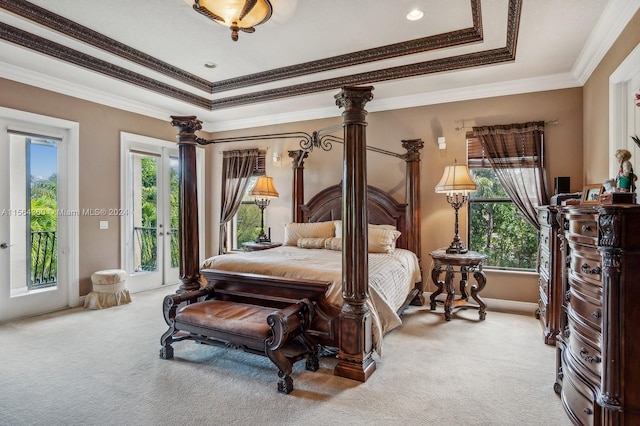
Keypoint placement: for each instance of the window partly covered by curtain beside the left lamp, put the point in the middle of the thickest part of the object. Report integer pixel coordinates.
(245, 225)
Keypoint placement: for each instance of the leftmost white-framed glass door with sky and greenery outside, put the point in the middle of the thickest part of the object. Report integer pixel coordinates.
(38, 215)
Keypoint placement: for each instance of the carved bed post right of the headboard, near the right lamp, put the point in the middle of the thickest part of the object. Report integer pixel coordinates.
(412, 158)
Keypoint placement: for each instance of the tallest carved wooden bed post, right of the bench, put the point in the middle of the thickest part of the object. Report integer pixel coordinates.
(355, 342)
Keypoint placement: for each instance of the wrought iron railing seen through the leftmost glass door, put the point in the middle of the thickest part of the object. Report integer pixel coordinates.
(44, 259)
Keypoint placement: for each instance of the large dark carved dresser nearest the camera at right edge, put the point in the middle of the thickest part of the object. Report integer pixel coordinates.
(598, 369)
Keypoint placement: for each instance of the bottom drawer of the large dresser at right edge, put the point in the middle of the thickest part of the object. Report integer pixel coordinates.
(577, 396)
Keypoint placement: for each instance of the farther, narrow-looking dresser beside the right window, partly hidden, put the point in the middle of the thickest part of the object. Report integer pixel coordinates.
(549, 273)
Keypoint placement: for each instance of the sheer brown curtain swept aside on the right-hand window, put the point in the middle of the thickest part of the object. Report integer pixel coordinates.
(516, 154)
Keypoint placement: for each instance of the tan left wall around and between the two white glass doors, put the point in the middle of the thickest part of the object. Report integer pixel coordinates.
(100, 128)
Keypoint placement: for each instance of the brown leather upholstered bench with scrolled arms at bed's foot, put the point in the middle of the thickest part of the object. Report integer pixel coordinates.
(276, 333)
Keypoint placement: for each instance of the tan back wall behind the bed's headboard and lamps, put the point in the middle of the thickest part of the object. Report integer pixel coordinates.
(386, 130)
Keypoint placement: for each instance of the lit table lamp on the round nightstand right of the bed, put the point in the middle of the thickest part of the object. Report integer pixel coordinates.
(456, 183)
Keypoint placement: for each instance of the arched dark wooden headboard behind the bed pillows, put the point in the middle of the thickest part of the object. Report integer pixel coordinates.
(382, 210)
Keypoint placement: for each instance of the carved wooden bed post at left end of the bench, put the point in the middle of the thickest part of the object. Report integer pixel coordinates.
(189, 247)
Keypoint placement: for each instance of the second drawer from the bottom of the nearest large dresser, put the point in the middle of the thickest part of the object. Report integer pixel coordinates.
(584, 344)
